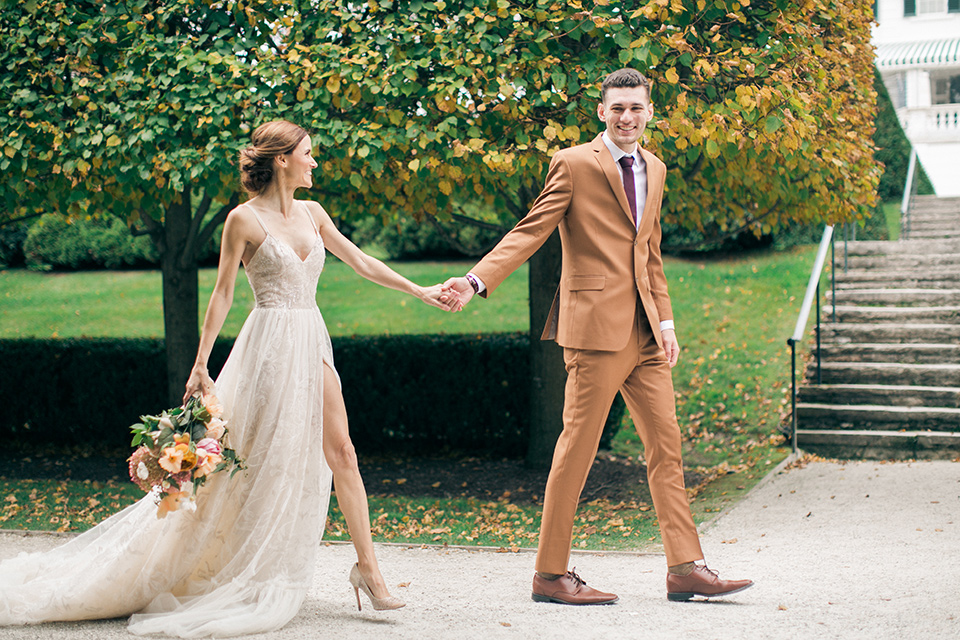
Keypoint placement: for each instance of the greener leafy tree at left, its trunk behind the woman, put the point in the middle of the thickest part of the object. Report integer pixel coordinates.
(135, 109)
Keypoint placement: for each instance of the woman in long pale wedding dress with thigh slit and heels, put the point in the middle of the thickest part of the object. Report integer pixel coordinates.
(242, 561)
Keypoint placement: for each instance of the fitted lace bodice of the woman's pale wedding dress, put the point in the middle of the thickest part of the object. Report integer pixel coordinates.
(280, 279)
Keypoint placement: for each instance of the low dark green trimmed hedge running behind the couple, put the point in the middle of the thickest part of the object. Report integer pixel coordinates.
(407, 395)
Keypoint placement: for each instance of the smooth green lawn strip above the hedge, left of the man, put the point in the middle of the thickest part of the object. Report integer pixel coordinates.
(129, 303)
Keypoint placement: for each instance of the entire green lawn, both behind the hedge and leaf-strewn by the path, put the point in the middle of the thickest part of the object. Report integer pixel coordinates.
(732, 384)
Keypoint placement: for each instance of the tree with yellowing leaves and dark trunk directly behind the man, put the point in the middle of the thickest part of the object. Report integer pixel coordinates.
(764, 112)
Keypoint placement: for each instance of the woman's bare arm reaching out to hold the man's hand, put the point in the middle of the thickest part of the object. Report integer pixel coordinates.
(374, 270)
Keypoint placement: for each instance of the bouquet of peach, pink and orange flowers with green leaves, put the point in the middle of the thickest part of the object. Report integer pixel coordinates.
(178, 450)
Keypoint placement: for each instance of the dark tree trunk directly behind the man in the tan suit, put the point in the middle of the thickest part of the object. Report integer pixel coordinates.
(546, 358)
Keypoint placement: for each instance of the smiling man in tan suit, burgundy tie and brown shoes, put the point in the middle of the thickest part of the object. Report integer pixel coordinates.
(612, 316)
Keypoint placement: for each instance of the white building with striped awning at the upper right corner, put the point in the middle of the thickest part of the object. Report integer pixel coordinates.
(918, 56)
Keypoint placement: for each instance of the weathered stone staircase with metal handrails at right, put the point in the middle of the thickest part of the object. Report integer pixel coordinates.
(891, 360)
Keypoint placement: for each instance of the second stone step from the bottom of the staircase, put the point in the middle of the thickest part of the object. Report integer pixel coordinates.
(869, 417)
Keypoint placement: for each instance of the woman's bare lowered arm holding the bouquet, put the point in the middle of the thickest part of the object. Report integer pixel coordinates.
(232, 246)
